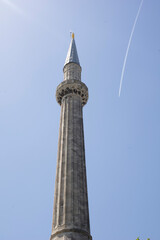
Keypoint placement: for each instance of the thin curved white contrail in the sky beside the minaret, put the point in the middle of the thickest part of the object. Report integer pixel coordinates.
(129, 43)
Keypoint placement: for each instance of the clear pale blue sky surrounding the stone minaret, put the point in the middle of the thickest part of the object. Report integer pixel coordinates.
(122, 135)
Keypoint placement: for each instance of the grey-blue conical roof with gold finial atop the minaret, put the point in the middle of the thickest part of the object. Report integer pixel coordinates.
(72, 55)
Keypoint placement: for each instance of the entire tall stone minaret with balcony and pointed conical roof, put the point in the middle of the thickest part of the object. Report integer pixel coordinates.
(70, 212)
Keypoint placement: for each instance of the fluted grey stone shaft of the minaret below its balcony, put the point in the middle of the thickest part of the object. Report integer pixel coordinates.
(70, 213)
